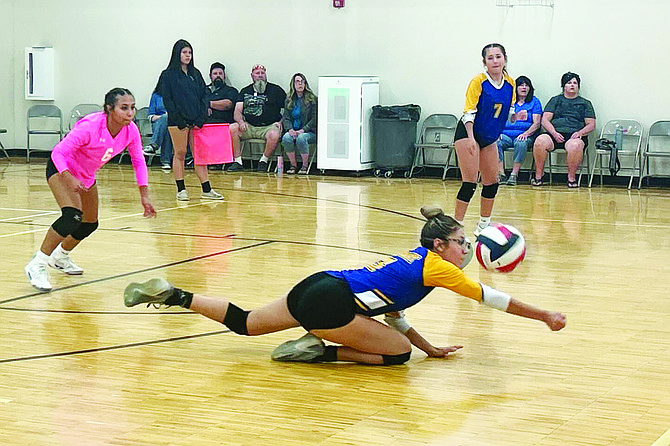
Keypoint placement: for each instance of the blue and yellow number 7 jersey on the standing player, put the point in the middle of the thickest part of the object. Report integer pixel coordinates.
(490, 104)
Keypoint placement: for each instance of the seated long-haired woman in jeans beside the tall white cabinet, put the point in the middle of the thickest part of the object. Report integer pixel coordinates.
(299, 122)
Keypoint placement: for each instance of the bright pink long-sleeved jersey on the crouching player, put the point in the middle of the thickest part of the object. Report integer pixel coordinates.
(89, 146)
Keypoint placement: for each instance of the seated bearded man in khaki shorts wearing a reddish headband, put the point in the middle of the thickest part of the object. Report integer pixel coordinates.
(258, 113)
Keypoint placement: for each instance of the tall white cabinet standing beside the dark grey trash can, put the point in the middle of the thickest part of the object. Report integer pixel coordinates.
(344, 131)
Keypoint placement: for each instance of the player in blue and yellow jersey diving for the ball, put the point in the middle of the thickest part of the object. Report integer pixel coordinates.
(339, 306)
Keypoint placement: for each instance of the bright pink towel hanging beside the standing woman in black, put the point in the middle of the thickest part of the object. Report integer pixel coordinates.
(212, 145)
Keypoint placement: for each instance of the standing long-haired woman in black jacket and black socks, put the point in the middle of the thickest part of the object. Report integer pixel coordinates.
(183, 91)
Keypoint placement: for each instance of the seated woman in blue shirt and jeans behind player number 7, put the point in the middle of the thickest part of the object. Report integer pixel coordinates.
(520, 134)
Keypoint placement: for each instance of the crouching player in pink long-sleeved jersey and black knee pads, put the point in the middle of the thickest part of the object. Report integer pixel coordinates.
(71, 169)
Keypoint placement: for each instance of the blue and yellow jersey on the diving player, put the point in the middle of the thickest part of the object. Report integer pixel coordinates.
(398, 282)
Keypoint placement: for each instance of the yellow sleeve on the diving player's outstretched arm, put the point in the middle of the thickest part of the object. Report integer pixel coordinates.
(439, 272)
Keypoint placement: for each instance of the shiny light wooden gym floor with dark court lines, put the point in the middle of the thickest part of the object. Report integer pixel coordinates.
(78, 368)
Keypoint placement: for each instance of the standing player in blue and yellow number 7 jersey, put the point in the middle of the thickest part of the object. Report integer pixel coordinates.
(488, 106)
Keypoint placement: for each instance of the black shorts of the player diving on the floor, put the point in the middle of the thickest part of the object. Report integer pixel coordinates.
(322, 301)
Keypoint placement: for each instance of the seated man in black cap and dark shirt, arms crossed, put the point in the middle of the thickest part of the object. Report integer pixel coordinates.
(221, 99)
